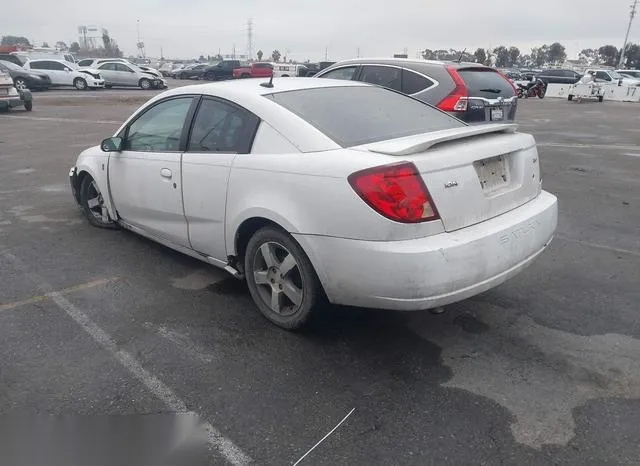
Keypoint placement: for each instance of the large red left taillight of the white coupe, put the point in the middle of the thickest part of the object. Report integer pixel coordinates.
(395, 191)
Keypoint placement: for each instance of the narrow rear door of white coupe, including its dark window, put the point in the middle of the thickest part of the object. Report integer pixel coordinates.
(220, 131)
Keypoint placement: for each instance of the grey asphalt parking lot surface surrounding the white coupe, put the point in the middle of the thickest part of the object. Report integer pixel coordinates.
(544, 369)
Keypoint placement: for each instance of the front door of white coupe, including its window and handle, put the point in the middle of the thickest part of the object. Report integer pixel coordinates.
(145, 179)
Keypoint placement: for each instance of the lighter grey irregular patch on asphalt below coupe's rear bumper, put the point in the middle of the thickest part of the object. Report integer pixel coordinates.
(539, 374)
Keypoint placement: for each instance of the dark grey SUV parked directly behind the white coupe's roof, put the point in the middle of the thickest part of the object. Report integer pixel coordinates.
(472, 92)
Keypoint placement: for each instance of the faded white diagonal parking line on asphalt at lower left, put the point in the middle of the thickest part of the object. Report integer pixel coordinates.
(216, 440)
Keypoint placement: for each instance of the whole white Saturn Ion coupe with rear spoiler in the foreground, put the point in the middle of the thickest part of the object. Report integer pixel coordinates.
(314, 189)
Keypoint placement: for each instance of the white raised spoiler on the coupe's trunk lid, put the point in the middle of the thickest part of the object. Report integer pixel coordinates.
(423, 142)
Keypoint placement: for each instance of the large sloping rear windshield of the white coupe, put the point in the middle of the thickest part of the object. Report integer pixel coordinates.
(354, 115)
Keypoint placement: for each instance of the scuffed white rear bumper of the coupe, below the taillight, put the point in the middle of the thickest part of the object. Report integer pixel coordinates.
(434, 271)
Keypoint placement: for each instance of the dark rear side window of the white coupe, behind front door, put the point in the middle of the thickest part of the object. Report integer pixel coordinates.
(222, 127)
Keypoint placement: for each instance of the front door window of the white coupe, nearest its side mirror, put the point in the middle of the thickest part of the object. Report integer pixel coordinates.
(159, 129)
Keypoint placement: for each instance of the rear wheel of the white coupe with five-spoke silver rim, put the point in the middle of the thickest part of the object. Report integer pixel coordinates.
(281, 279)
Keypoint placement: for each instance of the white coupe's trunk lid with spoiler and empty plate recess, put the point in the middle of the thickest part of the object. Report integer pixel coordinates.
(472, 173)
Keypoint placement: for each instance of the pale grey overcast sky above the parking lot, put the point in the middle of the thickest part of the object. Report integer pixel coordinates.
(188, 28)
